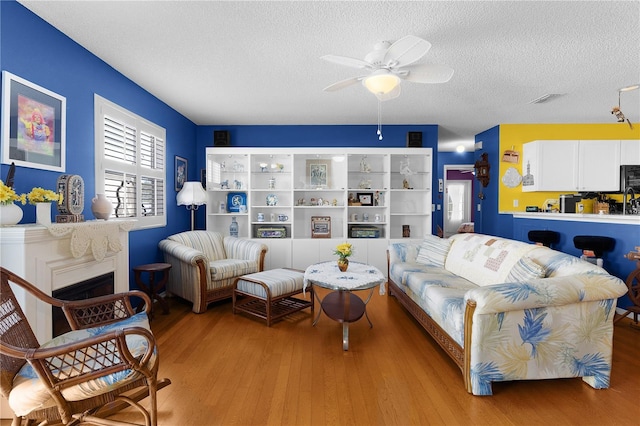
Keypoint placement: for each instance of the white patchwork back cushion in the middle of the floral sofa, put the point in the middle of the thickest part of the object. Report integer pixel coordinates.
(484, 259)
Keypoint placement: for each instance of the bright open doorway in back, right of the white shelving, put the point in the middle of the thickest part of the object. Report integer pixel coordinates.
(458, 197)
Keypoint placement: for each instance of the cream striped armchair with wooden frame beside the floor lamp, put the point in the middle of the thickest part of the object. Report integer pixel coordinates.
(205, 265)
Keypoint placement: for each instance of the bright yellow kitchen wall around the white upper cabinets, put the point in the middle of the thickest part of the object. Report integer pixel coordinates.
(513, 136)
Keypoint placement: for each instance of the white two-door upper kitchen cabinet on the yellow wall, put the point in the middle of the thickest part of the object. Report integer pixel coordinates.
(571, 165)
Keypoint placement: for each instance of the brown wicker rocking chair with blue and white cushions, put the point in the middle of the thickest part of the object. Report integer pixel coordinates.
(109, 360)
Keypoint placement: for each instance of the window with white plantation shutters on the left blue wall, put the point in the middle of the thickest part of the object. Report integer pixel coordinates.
(130, 164)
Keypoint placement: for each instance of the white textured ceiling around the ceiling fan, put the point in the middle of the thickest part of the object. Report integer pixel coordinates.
(240, 62)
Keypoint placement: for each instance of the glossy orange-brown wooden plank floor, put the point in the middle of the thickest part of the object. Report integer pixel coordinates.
(232, 370)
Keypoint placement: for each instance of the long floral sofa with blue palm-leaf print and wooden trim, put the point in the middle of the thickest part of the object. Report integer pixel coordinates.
(507, 310)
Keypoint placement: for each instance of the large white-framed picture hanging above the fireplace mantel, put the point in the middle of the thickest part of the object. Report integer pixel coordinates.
(33, 125)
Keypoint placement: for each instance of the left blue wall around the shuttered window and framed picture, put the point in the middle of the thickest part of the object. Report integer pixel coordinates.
(32, 49)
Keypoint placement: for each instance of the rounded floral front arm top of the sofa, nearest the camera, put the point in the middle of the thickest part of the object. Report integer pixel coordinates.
(539, 293)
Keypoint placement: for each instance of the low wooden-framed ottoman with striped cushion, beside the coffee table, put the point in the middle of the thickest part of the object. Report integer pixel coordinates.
(269, 294)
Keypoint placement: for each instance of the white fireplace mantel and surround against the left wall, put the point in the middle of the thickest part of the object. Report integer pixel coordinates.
(62, 255)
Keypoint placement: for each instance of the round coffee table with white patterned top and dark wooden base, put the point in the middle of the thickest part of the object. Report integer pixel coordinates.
(341, 304)
